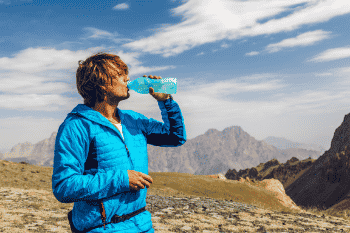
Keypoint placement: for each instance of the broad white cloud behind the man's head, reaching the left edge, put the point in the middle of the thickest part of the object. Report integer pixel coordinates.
(37, 78)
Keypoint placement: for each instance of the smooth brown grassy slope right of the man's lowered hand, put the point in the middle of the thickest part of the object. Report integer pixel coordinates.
(183, 184)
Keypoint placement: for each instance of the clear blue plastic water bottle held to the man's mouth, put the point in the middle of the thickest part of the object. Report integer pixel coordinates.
(165, 85)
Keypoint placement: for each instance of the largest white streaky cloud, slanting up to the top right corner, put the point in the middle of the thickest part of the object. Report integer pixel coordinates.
(208, 21)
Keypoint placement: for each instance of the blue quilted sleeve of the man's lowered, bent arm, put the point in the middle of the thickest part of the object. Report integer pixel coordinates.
(69, 184)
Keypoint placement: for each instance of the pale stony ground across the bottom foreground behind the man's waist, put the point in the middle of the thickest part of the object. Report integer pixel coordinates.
(38, 211)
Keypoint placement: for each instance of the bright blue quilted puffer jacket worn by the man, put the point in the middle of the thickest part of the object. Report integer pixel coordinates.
(91, 162)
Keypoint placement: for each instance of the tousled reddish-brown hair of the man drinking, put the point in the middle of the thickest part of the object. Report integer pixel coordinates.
(95, 72)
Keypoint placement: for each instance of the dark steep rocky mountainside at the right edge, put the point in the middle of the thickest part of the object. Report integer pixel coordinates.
(327, 181)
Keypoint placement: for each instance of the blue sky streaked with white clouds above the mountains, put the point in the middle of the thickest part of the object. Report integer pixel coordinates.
(273, 67)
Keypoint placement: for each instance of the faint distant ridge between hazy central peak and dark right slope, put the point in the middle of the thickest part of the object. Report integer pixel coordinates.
(282, 143)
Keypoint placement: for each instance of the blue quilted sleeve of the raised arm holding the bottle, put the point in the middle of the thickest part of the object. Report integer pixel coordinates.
(172, 132)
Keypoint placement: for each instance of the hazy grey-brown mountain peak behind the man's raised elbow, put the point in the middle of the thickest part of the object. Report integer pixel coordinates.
(211, 153)
